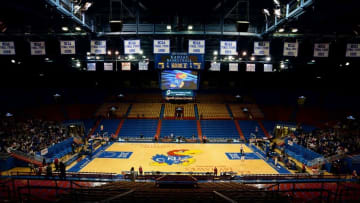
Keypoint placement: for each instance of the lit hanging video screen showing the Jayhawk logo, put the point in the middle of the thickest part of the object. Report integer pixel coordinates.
(179, 79)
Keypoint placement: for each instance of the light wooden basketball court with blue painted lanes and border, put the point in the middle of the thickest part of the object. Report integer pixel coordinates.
(165, 157)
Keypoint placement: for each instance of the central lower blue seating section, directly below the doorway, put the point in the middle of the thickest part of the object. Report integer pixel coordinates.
(183, 128)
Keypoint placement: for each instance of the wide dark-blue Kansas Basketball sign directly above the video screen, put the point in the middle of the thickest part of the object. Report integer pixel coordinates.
(179, 61)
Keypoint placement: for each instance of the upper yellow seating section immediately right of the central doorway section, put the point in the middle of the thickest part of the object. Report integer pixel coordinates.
(213, 111)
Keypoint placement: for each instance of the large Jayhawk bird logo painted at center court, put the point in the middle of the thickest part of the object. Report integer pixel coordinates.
(182, 157)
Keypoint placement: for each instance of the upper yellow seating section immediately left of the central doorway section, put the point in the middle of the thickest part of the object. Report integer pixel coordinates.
(145, 110)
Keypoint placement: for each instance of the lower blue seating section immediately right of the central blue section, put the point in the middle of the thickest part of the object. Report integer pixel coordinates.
(219, 129)
